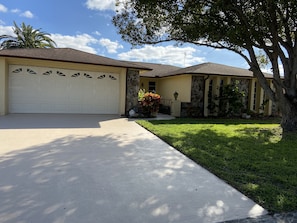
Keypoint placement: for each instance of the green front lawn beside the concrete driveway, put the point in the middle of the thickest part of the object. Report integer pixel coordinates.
(248, 154)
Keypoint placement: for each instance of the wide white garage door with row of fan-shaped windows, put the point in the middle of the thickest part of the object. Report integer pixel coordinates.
(49, 90)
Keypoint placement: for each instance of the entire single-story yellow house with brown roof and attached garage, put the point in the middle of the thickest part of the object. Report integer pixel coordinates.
(64, 80)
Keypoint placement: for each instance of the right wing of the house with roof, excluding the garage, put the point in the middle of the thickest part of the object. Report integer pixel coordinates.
(197, 85)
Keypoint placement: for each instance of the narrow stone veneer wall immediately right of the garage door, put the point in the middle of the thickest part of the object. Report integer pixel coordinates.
(132, 82)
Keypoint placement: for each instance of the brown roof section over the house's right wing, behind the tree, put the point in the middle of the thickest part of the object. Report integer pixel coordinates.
(204, 68)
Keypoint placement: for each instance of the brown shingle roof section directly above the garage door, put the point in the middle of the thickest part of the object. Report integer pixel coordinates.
(68, 55)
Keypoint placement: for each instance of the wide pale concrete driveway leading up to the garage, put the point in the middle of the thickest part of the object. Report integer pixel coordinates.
(90, 168)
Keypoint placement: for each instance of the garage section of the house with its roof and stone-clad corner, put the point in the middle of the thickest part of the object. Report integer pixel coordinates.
(63, 80)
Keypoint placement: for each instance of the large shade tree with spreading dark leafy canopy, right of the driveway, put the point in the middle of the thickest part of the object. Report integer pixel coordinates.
(242, 26)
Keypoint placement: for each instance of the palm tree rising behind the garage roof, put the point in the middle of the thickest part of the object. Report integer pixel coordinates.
(26, 37)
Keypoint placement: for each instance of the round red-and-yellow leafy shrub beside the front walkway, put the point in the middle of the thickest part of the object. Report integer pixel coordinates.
(150, 102)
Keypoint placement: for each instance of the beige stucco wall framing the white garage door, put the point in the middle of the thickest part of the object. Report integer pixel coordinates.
(5, 62)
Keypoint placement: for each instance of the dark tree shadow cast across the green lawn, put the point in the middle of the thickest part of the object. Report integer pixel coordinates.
(263, 170)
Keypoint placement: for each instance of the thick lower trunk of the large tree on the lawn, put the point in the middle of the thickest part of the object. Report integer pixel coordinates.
(289, 115)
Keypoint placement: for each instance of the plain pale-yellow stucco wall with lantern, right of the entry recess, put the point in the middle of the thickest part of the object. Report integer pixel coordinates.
(181, 84)
